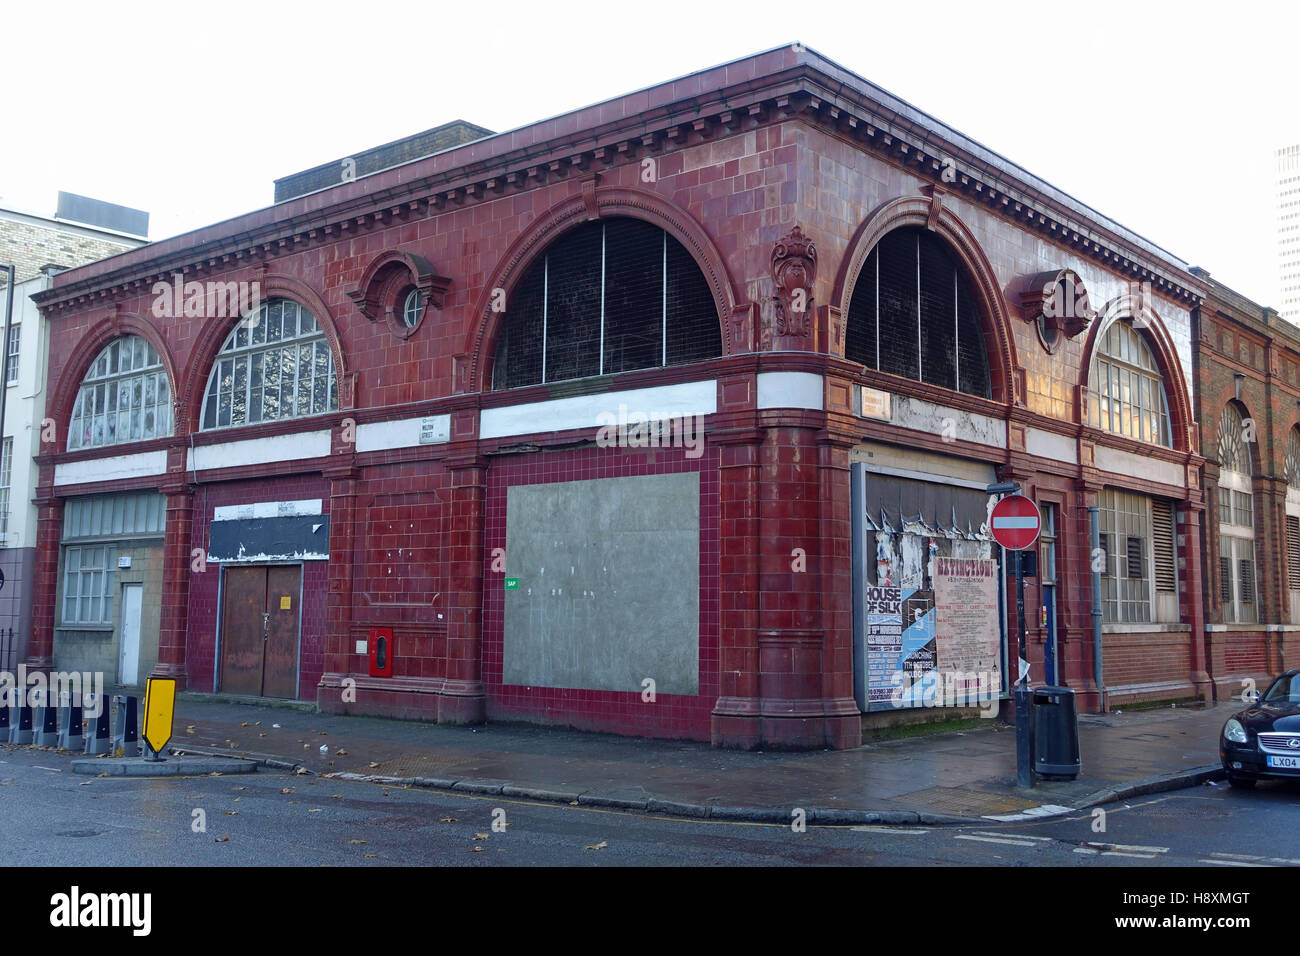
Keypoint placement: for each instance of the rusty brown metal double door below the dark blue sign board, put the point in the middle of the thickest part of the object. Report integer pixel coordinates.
(259, 631)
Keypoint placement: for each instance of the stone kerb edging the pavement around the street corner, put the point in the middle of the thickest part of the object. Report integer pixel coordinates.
(751, 815)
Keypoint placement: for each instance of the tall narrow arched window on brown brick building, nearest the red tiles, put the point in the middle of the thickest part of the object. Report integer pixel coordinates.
(1237, 520)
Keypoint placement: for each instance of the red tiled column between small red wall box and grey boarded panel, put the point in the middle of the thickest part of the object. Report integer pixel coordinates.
(463, 697)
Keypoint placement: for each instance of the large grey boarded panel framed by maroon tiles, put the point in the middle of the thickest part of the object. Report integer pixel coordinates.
(609, 585)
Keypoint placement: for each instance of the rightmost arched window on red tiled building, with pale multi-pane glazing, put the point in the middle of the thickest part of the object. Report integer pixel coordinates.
(1126, 395)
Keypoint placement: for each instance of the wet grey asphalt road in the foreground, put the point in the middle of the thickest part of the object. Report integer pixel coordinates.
(54, 817)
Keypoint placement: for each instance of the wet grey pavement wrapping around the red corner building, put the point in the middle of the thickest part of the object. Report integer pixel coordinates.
(951, 777)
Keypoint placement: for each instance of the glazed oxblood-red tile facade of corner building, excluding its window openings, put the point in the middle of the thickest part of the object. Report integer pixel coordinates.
(744, 166)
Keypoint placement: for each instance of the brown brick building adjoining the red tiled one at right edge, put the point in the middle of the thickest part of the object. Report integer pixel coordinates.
(1249, 408)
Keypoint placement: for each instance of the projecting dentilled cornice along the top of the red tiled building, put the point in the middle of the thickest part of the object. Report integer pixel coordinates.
(805, 86)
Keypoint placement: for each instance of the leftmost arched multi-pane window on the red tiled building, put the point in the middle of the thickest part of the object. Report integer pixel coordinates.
(124, 397)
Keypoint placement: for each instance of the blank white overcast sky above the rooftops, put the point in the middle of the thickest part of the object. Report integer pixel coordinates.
(1163, 116)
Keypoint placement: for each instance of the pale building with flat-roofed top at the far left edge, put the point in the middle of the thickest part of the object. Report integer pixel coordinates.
(38, 248)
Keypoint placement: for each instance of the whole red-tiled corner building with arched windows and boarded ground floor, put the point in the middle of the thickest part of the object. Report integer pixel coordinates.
(846, 321)
